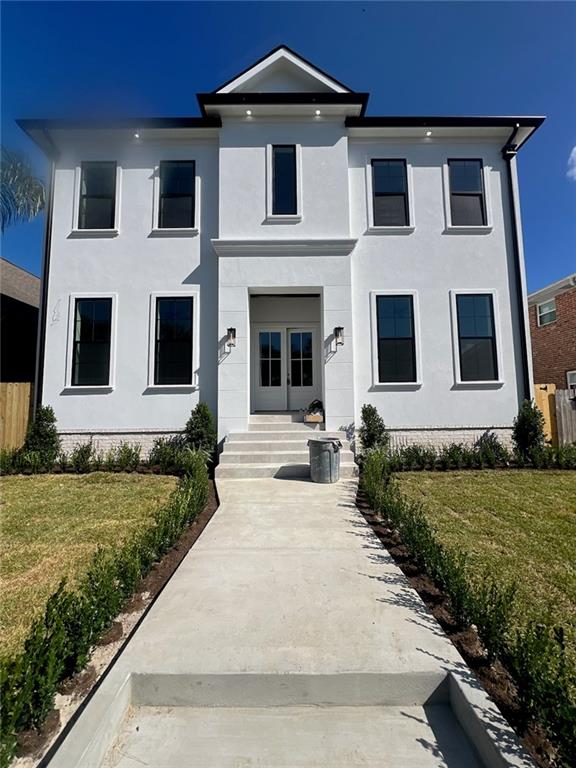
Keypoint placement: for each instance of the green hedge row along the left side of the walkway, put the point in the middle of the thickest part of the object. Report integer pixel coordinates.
(59, 643)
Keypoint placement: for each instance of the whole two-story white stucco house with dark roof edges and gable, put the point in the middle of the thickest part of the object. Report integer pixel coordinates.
(283, 247)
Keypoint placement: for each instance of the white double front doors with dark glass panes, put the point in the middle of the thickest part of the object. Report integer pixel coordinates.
(285, 369)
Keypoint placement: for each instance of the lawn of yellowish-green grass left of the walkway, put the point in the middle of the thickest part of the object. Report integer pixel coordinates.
(52, 524)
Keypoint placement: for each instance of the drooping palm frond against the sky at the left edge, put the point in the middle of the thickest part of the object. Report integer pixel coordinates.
(22, 194)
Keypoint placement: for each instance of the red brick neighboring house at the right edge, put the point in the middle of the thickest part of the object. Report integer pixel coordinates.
(552, 313)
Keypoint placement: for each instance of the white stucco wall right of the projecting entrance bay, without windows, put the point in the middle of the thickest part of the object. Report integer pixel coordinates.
(433, 262)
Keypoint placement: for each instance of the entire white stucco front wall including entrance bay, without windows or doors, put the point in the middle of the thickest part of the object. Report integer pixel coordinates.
(232, 173)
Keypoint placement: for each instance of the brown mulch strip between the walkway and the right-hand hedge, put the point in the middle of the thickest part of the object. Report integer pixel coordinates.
(494, 677)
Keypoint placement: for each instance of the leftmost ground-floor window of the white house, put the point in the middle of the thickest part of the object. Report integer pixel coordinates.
(91, 342)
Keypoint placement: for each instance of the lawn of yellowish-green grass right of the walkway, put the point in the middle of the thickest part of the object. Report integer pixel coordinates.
(519, 524)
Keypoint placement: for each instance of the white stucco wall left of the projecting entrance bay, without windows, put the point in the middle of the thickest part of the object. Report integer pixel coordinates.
(133, 265)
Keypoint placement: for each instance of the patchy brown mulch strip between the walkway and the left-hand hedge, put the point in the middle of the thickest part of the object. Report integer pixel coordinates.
(33, 742)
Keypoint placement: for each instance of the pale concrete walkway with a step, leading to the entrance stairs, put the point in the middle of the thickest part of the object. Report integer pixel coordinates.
(288, 637)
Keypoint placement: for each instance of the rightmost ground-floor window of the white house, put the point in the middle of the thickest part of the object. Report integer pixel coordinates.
(476, 337)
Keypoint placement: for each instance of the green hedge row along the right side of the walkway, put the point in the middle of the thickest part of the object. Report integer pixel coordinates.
(537, 655)
